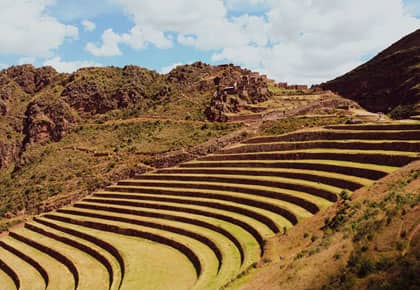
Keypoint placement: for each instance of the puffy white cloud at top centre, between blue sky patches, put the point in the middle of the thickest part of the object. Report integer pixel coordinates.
(202, 24)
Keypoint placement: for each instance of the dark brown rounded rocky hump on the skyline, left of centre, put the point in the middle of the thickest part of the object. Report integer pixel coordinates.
(99, 90)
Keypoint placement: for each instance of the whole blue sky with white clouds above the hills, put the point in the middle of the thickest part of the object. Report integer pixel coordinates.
(298, 41)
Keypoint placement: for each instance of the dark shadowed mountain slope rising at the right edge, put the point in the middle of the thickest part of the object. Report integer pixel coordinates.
(389, 80)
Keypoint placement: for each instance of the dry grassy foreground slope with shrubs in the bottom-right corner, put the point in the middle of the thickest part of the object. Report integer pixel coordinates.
(370, 241)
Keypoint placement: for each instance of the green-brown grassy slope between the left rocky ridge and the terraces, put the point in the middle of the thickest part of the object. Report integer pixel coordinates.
(71, 167)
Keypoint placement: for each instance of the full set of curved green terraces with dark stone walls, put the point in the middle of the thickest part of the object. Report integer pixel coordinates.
(201, 224)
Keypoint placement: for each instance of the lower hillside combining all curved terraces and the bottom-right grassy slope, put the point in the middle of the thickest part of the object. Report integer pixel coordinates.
(219, 220)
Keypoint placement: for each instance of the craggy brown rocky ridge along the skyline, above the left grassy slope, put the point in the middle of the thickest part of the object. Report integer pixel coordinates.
(39, 104)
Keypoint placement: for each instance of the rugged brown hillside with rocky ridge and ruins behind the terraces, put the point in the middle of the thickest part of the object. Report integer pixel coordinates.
(62, 136)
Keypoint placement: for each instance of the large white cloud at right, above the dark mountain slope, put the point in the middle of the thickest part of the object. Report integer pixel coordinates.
(314, 41)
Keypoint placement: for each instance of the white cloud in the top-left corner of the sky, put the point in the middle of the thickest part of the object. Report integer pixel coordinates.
(28, 30)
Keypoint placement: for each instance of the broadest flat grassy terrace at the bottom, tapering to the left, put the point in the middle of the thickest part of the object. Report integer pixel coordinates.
(159, 266)
